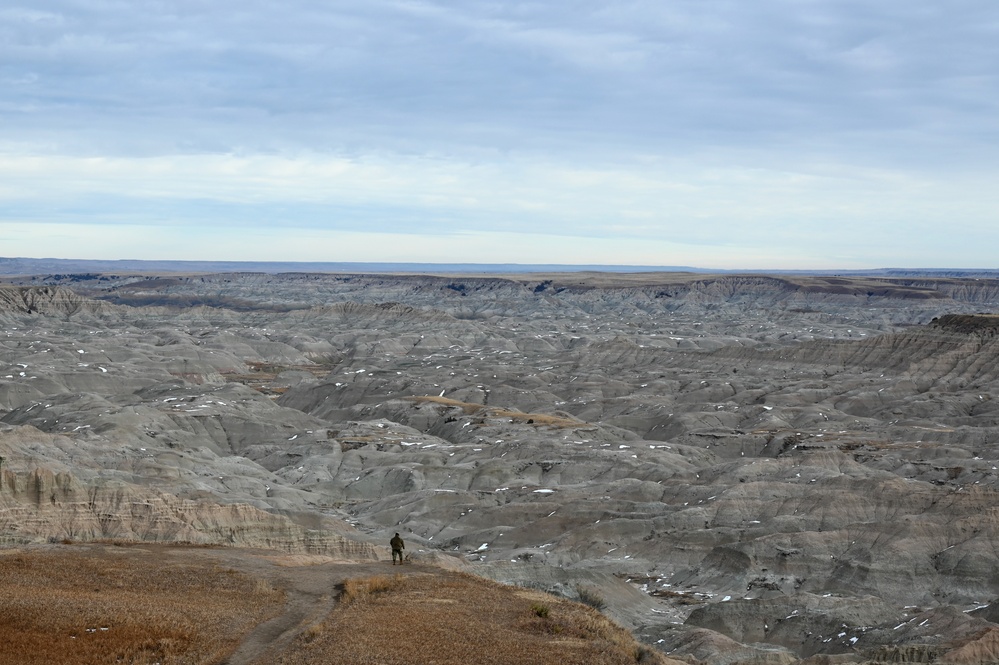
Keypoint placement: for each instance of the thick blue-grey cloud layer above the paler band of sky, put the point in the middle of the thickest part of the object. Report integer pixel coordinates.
(423, 75)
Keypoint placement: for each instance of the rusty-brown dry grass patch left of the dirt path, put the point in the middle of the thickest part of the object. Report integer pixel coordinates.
(92, 607)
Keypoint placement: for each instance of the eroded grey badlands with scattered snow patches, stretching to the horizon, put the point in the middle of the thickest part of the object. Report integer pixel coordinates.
(744, 469)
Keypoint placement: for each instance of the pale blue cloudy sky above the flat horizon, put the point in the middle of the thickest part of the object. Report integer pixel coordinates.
(772, 134)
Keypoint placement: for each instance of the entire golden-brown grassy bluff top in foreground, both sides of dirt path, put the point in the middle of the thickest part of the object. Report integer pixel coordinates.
(137, 604)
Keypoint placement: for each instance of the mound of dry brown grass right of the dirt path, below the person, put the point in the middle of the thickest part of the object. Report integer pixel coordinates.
(455, 619)
